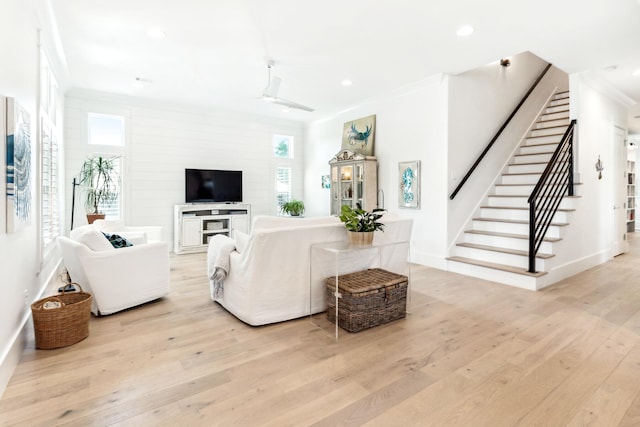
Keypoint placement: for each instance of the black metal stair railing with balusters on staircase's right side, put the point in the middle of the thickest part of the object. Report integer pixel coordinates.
(555, 182)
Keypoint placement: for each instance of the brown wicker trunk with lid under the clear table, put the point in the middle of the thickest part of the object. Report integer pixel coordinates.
(369, 298)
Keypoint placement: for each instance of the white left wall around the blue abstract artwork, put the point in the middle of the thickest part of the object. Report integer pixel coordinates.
(24, 273)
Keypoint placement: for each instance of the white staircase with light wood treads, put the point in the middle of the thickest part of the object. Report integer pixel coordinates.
(496, 246)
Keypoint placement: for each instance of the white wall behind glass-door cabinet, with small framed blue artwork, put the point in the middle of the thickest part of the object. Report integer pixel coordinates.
(410, 125)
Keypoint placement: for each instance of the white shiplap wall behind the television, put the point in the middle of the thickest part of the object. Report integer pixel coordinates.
(163, 139)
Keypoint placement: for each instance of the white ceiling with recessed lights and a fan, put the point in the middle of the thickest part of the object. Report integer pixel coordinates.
(215, 51)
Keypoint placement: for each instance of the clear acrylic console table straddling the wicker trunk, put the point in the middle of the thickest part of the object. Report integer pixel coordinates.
(331, 260)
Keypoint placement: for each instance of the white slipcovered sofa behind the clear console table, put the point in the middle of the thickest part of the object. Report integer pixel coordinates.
(270, 279)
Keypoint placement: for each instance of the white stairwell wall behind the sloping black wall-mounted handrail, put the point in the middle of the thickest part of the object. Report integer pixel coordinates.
(480, 100)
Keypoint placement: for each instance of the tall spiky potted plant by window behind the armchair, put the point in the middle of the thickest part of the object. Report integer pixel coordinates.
(100, 179)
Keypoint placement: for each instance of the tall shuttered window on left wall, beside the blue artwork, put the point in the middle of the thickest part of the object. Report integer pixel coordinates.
(50, 161)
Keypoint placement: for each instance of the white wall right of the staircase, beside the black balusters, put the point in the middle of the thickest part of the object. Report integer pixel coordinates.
(588, 241)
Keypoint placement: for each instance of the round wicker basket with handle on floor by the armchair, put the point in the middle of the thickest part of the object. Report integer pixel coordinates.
(64, 325)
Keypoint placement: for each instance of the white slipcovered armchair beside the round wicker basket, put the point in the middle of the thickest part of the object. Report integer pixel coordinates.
(117, 278)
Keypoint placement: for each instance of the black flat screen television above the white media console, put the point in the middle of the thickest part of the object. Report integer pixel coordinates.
(212, 186)
